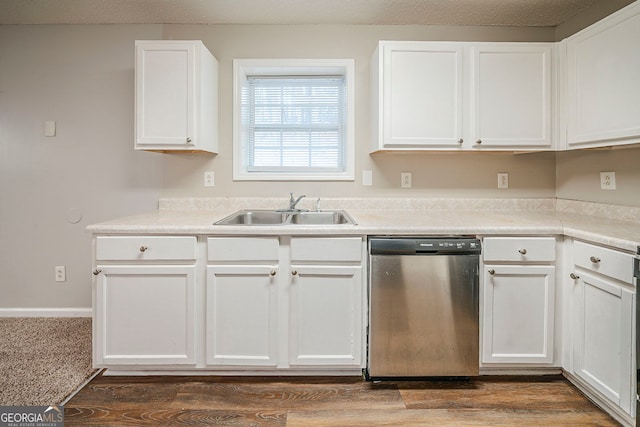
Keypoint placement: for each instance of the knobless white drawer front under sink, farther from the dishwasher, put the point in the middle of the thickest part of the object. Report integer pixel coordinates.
(242, 249)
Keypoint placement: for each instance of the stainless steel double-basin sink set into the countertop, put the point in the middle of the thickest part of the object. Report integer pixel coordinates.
(287, 217)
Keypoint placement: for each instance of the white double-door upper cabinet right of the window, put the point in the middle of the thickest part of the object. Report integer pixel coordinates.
(457, 96)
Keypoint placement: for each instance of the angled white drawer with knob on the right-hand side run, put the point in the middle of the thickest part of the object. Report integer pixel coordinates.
(617, 265)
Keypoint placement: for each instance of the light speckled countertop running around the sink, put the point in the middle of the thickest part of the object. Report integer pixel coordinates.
(616, 233)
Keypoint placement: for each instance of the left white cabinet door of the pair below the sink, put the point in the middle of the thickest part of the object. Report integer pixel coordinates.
(242, 316)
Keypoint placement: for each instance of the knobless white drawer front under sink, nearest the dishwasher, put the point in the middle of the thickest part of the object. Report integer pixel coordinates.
(326, 249)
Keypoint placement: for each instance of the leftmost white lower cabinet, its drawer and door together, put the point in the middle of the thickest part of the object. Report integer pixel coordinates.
(144, 301)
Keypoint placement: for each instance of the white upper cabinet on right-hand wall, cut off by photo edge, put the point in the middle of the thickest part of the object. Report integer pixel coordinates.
(603, 77)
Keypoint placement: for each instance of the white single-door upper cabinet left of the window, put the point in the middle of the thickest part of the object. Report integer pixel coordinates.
(176, 96)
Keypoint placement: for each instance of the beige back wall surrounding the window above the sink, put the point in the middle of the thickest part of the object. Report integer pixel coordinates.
(434, 174)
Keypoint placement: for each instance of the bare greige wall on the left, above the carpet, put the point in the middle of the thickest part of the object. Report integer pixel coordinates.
(81, 77)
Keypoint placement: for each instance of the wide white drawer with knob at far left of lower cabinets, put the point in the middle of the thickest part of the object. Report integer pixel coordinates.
(148, 248)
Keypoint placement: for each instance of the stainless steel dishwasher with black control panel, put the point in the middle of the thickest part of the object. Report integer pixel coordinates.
(423, 307)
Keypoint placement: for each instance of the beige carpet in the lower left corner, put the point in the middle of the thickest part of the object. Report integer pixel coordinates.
(43, 360)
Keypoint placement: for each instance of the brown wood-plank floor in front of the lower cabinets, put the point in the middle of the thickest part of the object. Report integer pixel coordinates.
(331, 401)
